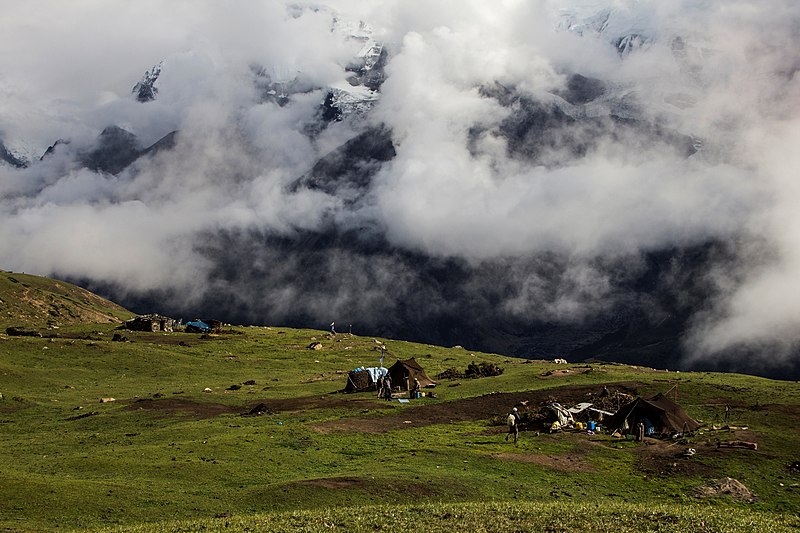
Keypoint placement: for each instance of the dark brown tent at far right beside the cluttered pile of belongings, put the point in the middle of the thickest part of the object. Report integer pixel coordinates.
(659, 414)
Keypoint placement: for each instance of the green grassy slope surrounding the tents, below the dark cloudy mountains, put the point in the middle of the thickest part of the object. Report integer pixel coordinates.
(179, 450)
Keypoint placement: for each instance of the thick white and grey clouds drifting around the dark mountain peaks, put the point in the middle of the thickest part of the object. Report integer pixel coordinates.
(68, 69)
